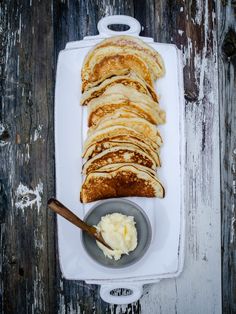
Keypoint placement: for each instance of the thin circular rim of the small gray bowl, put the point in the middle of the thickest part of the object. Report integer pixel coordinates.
(145, 217)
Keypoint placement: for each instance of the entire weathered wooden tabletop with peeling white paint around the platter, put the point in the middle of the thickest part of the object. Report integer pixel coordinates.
(32, 33)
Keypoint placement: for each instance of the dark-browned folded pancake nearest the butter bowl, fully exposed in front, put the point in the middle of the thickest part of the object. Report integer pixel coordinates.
(120, 180)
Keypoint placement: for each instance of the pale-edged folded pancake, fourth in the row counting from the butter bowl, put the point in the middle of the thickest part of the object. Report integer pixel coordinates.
(115, 131)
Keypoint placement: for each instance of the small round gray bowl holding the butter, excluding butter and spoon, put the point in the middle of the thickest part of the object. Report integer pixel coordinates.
(144, 232)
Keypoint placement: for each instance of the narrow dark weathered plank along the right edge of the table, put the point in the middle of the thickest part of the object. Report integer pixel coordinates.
(227, 88)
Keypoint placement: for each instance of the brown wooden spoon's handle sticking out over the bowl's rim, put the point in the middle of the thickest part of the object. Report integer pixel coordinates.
(63, 211)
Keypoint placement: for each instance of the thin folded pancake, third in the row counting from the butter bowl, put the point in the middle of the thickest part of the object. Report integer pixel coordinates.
(97, 148)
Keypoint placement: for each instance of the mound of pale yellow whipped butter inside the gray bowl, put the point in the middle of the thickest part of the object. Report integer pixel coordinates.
(119, 232)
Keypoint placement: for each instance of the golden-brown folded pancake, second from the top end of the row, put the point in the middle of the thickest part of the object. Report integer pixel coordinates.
(109, 63)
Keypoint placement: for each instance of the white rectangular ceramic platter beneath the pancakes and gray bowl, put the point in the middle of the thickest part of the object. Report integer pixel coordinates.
(165, 256)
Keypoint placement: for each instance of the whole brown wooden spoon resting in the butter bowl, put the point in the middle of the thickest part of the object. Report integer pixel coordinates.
(63, 211)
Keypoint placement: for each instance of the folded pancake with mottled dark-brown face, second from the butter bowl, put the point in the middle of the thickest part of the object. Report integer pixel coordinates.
(119, 154)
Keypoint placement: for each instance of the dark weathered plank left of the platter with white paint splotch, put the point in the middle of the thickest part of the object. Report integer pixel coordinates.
(27, 166)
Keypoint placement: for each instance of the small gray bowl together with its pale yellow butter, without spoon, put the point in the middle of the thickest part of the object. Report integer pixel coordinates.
(124, 226)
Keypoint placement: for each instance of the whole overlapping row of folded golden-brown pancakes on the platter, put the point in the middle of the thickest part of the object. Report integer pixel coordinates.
(122, 145)
